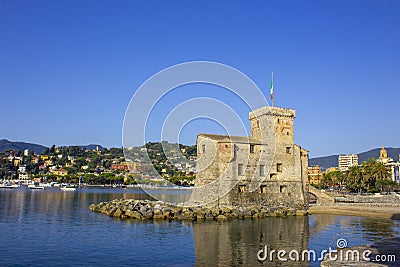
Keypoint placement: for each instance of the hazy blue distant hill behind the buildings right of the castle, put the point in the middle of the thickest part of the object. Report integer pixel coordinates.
(332, 161)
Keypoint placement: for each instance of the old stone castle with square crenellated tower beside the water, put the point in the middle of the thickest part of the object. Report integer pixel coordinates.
(264, 169)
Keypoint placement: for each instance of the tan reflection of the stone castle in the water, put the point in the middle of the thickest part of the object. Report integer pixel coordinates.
(237, 242)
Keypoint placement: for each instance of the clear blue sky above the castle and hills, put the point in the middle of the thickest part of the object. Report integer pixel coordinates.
(69, 68)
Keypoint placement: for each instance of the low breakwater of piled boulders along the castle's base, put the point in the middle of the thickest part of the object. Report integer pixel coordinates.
(156, 210)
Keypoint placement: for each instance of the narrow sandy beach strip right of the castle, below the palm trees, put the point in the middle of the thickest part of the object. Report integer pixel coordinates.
(376, 210)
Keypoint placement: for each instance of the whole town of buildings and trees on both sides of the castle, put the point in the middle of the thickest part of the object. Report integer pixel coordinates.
(102, 166)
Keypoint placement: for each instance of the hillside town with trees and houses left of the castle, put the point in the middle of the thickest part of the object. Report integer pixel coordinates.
(78, 165)
